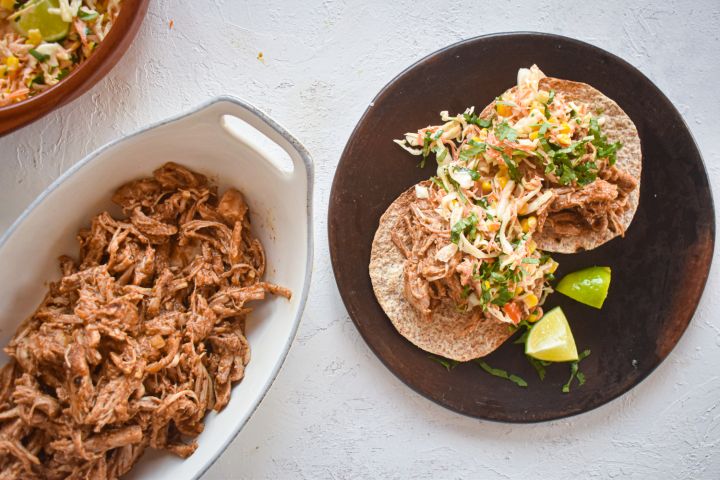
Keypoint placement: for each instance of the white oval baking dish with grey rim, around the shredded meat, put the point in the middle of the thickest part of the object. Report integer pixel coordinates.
(280, 201)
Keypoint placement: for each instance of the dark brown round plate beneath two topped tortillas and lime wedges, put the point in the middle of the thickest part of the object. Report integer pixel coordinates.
(659, 268)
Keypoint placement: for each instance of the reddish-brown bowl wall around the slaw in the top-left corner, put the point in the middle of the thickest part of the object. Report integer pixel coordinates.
(82, 78)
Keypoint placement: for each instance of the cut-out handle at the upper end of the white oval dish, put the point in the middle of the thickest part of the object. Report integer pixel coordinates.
(301, 160)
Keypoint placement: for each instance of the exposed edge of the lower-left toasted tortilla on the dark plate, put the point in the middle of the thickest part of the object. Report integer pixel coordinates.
(447, 332)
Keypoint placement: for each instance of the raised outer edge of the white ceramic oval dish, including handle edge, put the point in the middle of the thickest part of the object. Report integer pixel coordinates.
(261, 122)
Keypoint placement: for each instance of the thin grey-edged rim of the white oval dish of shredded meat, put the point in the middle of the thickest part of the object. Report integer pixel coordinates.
(309, 169)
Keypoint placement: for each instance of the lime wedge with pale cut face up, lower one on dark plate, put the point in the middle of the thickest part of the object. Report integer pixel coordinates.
(550, 339)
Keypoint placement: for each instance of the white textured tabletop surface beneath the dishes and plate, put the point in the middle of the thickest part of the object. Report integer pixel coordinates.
(334, 410)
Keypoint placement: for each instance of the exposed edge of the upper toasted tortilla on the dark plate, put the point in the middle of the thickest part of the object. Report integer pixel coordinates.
(618, 126)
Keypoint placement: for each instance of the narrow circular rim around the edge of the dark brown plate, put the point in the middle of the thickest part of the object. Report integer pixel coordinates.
(332, 230)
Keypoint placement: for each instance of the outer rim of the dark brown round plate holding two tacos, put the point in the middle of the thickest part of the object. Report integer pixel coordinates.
(346, 295)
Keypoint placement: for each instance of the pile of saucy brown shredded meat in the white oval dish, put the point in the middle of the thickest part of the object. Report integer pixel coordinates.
(139, 339)
